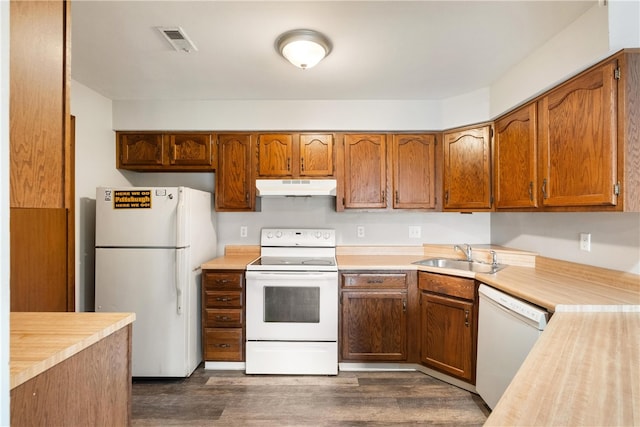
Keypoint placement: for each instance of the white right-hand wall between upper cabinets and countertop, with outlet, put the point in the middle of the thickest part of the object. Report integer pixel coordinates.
(615, 237)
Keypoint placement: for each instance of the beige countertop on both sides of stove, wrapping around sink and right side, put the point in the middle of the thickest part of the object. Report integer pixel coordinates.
(584, 369)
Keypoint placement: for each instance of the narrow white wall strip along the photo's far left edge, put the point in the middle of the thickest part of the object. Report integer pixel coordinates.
(4, 213)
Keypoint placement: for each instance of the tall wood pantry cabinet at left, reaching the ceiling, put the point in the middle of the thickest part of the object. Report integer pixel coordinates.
(41, 158)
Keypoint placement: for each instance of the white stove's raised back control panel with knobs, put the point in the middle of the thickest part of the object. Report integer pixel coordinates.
(304, 237)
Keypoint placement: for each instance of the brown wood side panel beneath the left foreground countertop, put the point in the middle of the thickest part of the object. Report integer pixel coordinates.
(91, 388)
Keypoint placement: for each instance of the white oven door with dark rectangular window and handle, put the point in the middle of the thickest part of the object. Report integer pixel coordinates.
(292, 306)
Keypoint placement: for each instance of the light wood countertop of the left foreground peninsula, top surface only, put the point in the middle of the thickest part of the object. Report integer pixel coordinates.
(39, 341)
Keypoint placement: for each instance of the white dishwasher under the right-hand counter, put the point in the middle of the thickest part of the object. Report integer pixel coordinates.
(507, 330)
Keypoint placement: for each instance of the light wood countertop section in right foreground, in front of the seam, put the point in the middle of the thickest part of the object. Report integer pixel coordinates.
(583, 370)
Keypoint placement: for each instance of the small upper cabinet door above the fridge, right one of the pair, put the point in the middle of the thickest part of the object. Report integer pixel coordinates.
(190, 150)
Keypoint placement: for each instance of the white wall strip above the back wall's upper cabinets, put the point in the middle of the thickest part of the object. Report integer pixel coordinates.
(369, 115)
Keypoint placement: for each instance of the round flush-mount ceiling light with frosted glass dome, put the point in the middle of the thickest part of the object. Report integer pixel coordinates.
(303, 48)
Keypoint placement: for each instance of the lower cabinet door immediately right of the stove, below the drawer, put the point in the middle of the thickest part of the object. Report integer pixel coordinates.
(374, 325)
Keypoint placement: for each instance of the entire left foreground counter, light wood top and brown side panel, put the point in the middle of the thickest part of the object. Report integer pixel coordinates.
(70, 368)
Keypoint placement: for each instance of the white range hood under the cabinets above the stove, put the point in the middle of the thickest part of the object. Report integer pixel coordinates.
(295, 187)
